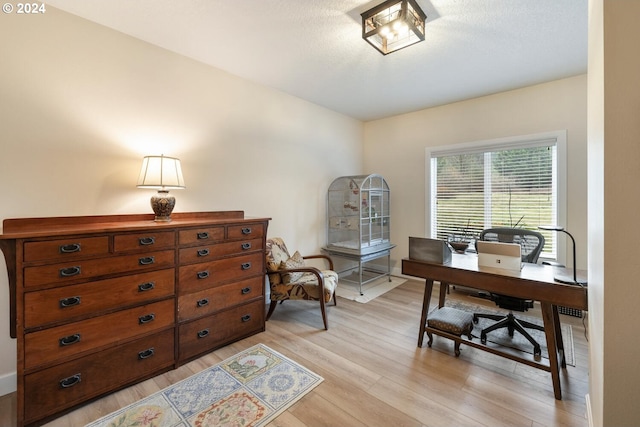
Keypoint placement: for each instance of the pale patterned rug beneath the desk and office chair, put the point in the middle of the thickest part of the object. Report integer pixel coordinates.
(518, 342)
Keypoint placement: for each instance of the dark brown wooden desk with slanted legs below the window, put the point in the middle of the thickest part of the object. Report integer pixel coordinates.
(532, 282)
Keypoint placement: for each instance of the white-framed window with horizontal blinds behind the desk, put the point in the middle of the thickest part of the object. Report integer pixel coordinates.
(511, 182)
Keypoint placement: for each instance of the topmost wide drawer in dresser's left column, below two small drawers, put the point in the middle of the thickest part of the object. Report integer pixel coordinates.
(85, 269)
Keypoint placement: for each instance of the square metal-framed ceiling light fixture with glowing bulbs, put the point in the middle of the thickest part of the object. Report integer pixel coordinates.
(393, 25)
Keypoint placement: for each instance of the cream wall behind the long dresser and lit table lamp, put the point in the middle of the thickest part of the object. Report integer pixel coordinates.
(81, 105)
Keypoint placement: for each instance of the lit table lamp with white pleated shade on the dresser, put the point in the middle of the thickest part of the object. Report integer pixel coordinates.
(164, 174)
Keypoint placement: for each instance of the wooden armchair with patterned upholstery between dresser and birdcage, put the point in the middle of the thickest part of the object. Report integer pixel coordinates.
(291, 279)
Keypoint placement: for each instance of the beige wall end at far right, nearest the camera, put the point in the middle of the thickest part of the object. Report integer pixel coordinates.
(614, 171)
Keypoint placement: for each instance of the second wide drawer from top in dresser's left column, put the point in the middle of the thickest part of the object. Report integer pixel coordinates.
(75, 301)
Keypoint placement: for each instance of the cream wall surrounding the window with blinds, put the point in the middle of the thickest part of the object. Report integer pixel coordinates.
(395, 148)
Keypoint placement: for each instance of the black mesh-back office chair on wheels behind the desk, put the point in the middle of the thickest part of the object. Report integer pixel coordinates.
(531, 243)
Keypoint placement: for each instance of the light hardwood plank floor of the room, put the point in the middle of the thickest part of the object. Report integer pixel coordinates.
(374, 374)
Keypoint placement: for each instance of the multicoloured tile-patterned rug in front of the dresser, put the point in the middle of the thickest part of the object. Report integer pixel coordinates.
(248, 389)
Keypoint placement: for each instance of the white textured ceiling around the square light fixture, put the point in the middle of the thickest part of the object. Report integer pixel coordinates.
(313, 49)
